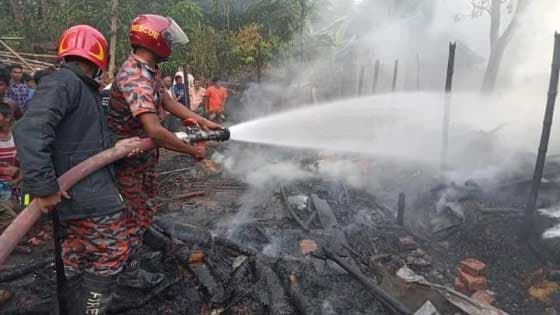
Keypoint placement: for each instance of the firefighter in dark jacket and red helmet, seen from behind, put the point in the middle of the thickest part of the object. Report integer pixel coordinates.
(64, 126)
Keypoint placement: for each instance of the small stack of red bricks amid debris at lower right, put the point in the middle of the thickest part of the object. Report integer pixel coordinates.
(471, 280)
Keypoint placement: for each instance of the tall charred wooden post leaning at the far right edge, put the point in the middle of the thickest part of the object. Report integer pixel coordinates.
(530, 231)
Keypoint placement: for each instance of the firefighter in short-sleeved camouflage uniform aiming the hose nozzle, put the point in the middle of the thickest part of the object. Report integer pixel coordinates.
(138, 100)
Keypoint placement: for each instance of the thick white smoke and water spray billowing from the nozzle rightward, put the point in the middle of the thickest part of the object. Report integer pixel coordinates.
(488, 132)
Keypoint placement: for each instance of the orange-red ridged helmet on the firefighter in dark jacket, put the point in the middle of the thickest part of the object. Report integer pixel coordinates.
(86, 42)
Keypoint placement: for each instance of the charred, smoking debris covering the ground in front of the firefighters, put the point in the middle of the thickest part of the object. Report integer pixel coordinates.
(315, 245)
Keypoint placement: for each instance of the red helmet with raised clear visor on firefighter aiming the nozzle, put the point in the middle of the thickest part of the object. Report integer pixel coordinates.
(156, 33)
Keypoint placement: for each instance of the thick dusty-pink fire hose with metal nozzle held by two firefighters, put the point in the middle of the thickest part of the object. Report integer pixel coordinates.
(15, 232)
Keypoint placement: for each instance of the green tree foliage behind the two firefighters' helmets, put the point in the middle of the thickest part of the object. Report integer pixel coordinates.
(215, 27)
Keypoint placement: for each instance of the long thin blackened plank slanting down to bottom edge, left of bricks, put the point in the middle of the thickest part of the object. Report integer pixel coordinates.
(392, 304)
